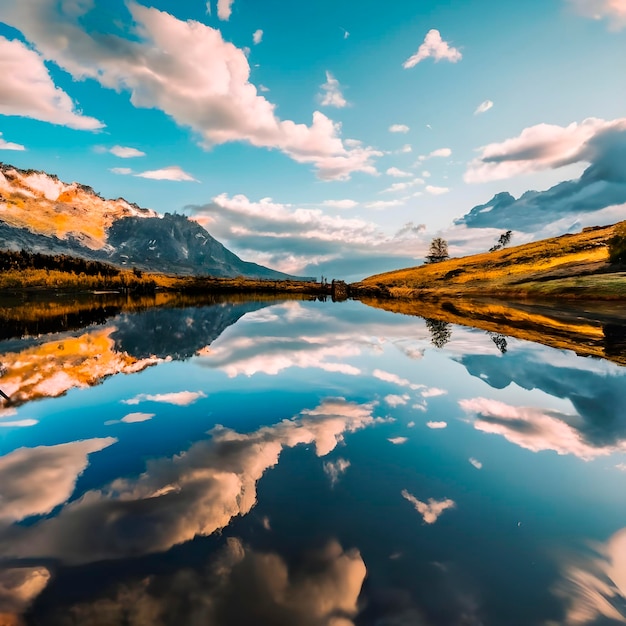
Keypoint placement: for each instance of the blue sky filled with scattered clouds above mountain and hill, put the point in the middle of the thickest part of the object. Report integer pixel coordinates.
(333, 137)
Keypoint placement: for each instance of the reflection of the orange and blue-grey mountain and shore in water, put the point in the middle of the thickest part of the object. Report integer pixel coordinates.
(40, 366)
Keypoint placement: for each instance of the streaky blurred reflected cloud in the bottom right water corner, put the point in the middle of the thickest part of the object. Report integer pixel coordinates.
(594, 587)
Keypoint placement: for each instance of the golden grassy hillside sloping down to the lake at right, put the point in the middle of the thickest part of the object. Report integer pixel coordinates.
(570, 266)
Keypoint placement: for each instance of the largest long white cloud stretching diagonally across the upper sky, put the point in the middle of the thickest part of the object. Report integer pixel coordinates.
(188, 71)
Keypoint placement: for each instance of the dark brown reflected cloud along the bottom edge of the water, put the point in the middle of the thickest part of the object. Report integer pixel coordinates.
(321, 590)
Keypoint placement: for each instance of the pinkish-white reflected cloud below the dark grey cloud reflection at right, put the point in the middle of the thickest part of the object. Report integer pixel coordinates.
(536, 429)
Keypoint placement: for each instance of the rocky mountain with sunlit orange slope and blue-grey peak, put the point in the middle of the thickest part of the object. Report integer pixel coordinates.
(40, 213)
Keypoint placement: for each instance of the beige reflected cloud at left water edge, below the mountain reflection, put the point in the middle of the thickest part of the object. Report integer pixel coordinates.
(33, 481)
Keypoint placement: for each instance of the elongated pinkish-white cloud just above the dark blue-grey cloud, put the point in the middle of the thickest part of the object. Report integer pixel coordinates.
(541, 147)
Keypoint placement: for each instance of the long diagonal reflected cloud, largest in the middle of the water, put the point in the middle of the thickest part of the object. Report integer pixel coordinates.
(194, 493)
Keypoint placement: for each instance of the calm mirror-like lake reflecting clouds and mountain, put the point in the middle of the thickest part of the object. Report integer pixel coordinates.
(265, 462)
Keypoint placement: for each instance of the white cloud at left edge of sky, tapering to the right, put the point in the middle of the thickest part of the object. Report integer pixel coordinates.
(28, 90)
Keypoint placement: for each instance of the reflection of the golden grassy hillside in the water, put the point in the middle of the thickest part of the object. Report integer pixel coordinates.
(588, 331)
